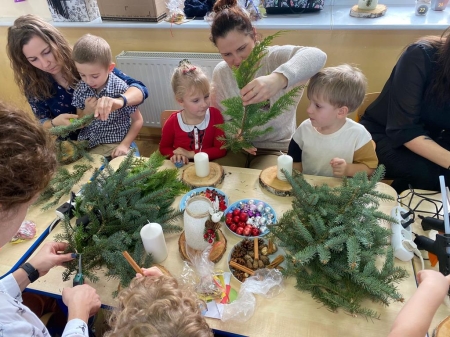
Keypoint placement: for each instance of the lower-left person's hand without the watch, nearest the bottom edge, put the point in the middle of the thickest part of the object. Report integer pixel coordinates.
(82, 301)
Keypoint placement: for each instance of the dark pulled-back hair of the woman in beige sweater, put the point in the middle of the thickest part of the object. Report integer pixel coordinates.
(228, 17)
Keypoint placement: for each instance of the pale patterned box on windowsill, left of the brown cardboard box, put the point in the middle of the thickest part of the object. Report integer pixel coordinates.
(76, 11)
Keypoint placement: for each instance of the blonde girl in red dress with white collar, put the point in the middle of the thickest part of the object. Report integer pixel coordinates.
(192, 129)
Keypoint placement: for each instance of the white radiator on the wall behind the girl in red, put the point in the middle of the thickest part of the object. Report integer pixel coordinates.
(155, 70)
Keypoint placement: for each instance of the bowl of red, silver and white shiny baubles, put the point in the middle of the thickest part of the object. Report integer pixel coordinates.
(248, 218)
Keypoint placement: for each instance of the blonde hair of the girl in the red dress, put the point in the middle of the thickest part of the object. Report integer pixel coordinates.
(188, 78)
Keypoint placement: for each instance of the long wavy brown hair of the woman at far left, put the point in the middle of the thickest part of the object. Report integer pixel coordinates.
(32, 81)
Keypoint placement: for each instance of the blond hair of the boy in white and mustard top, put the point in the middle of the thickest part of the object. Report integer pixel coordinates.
(340, 86)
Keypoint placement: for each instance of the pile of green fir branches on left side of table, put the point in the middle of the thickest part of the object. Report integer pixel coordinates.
(114, 206)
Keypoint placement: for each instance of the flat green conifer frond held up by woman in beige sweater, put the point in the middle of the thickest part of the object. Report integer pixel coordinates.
(247, 121)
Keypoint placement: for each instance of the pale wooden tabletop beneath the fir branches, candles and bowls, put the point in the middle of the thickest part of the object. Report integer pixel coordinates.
(291, 313)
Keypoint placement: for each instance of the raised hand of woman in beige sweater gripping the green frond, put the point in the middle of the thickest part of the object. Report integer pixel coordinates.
(262, 88)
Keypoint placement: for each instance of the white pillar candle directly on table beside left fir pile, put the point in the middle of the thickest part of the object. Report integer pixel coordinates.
(154, 243)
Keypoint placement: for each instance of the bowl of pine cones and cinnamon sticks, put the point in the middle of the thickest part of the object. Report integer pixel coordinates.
(250, 255)
